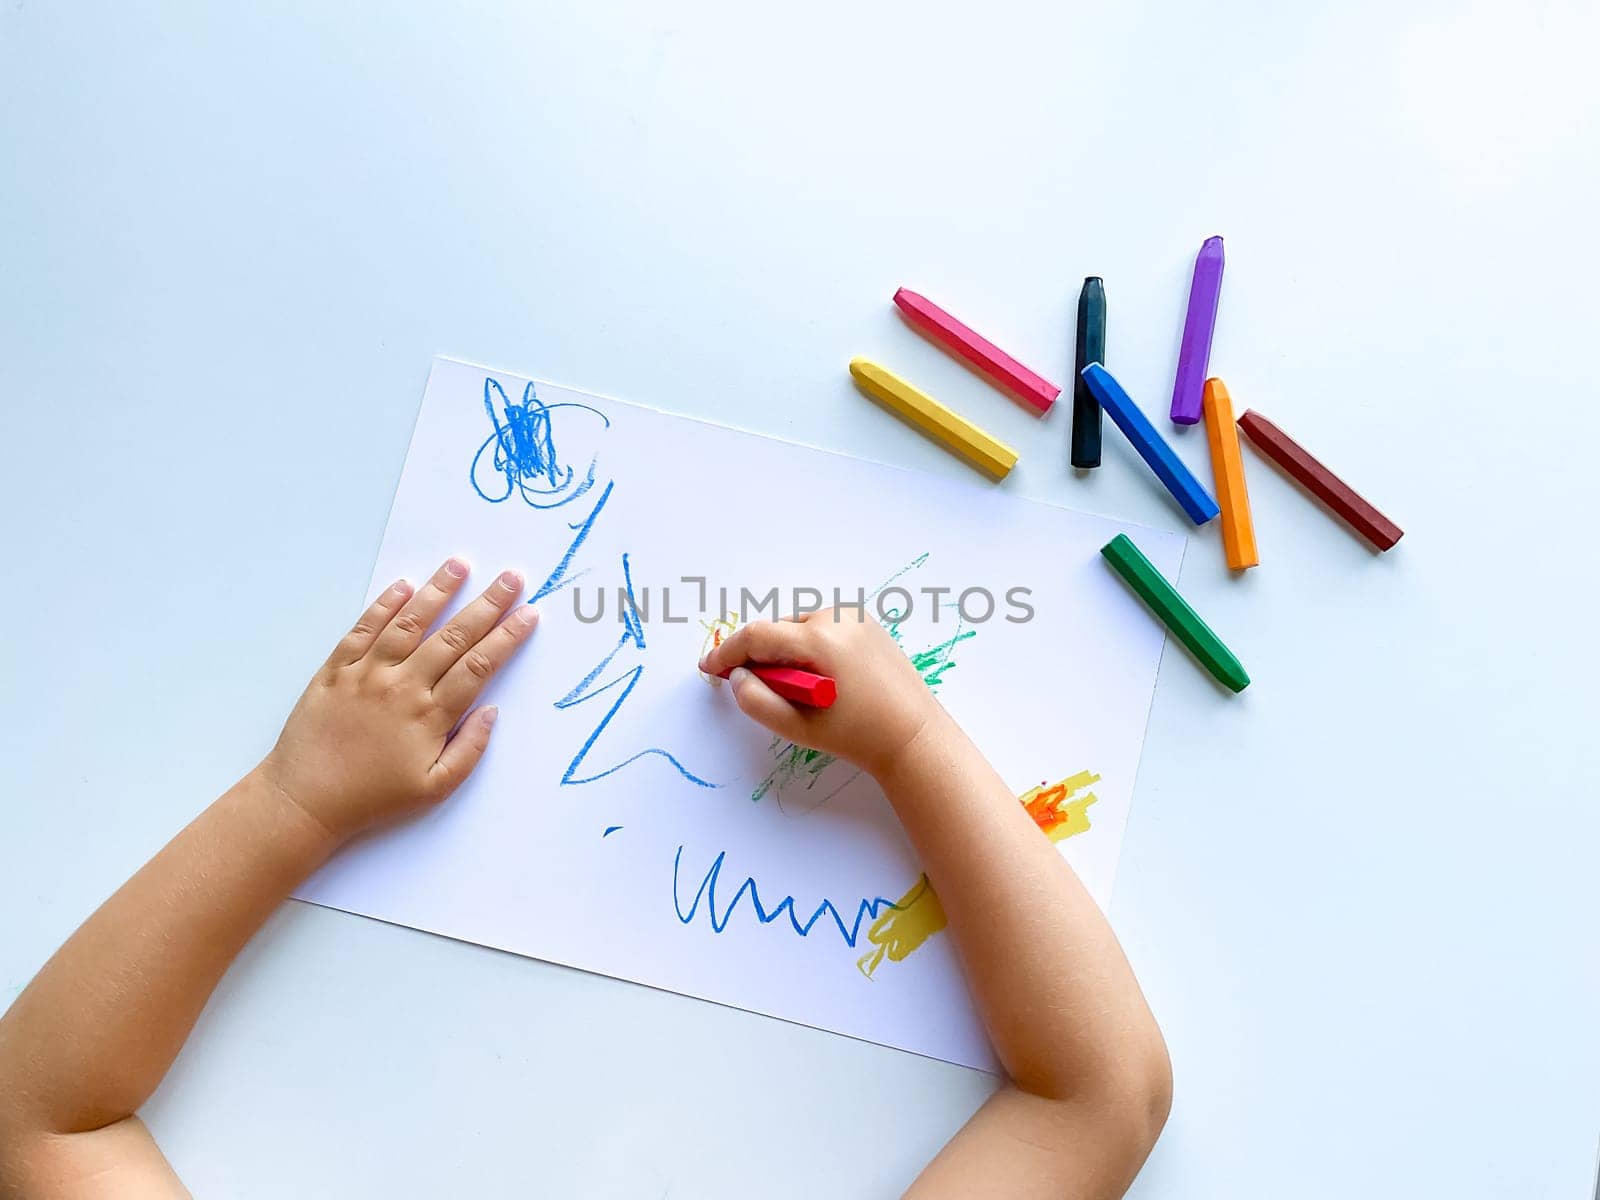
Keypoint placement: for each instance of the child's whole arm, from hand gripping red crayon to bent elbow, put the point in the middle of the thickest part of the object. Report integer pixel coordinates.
(1090, 1079)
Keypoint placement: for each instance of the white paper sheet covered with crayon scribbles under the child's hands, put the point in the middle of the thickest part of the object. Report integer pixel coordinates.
(614, 825)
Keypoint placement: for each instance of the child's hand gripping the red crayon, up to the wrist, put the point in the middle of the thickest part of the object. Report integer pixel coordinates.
(882, 702)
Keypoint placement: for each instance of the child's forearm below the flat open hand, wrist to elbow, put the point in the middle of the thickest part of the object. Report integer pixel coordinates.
(95, 1033)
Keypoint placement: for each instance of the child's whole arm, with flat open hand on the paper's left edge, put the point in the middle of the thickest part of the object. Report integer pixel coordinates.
(95, 1033)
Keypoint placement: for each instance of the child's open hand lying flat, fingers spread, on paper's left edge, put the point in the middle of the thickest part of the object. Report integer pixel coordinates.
(372, 737)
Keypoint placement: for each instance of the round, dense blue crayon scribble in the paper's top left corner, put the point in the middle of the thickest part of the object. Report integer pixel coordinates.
(524, 457)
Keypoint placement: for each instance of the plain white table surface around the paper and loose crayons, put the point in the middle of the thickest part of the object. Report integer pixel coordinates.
(1361, 897)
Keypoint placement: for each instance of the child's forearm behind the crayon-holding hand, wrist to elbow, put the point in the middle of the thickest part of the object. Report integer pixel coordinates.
(1050, 980)
